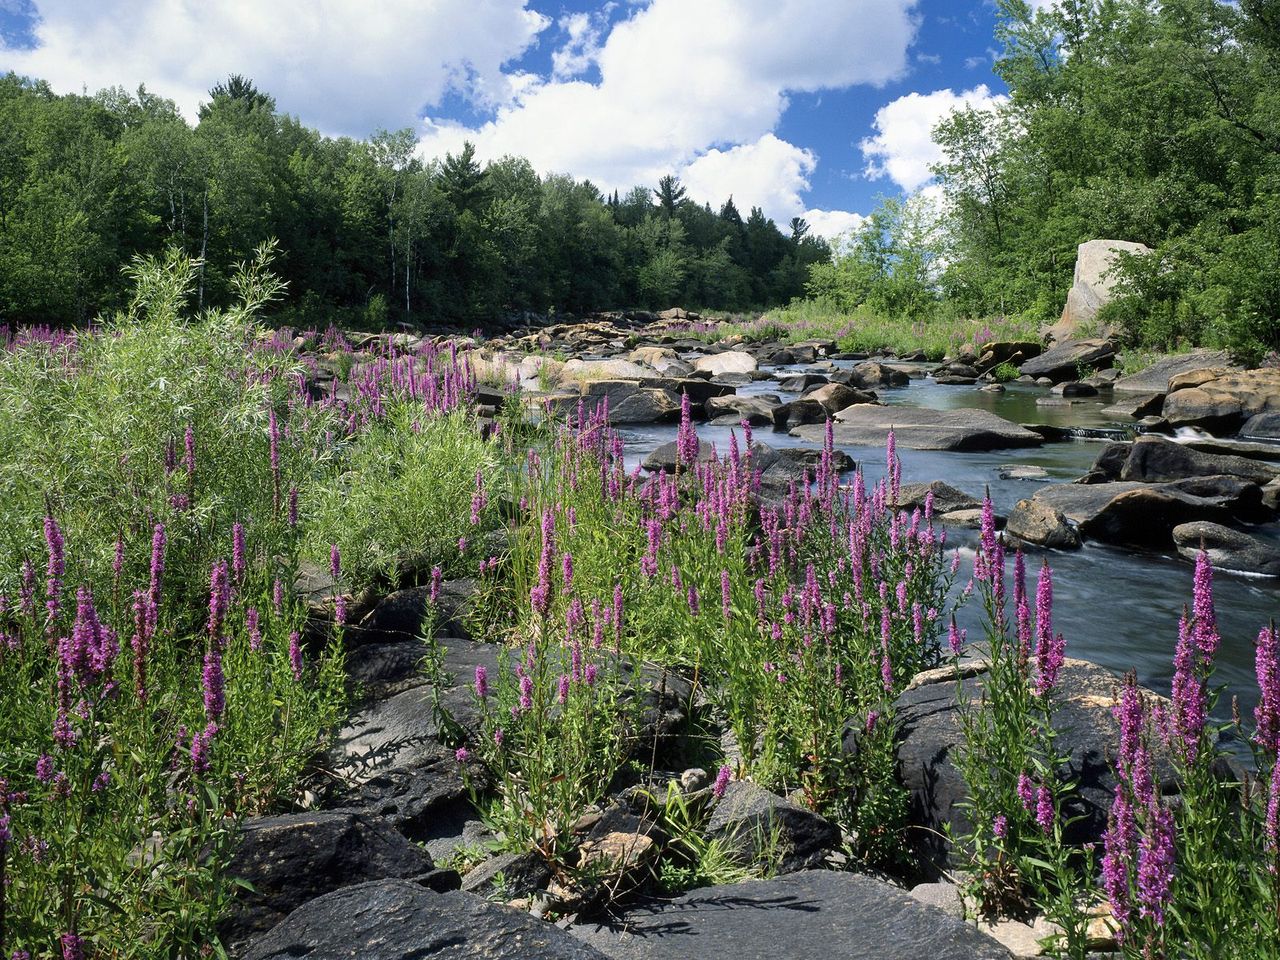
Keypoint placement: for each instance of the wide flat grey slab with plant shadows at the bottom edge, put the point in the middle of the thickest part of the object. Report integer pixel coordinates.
(804, 916)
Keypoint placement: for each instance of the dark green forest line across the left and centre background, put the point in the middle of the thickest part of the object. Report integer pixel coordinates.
(369, 232)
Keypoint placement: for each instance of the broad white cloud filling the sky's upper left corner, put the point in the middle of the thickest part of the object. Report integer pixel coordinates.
(348, 68)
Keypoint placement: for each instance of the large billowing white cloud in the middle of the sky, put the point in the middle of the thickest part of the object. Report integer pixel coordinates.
(694, 86)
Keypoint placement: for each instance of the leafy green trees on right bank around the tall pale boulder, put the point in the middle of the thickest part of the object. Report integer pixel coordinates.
(1145, 121)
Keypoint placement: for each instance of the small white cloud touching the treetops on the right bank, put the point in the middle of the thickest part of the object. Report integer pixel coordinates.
(903, 148)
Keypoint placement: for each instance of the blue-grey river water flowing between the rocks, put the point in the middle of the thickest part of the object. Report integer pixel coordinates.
(1114, 607)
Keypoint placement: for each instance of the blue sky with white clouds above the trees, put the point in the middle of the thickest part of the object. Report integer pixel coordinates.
(804, 108)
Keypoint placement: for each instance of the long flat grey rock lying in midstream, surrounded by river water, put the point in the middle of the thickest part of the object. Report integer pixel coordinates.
(921, 429)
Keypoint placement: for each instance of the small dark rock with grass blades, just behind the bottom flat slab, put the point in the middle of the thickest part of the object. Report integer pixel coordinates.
(747, 819)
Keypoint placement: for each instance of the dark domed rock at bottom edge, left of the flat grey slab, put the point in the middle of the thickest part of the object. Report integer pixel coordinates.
(399, 921)
